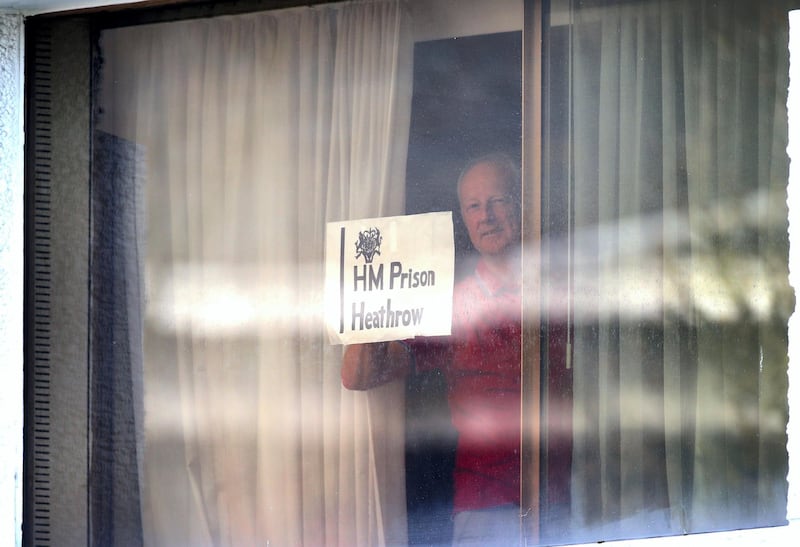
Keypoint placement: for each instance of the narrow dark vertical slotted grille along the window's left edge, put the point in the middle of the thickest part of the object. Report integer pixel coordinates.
(39, 290)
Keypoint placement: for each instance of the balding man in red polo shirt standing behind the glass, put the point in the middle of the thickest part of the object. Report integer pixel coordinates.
(481, 359)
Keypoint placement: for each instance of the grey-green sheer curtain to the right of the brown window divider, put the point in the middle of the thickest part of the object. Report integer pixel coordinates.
(680, 291)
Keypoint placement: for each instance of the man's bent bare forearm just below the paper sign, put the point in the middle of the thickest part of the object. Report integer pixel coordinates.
(369, 365)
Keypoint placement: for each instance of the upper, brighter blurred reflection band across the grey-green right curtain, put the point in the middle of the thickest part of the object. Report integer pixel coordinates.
(648, 266)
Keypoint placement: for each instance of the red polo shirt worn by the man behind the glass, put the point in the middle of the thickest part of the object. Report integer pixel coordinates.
(481, 361)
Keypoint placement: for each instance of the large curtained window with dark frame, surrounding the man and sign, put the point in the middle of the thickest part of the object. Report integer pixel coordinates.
(184, 158)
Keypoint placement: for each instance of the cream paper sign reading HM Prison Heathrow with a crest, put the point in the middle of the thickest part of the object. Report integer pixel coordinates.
(389, 278)
